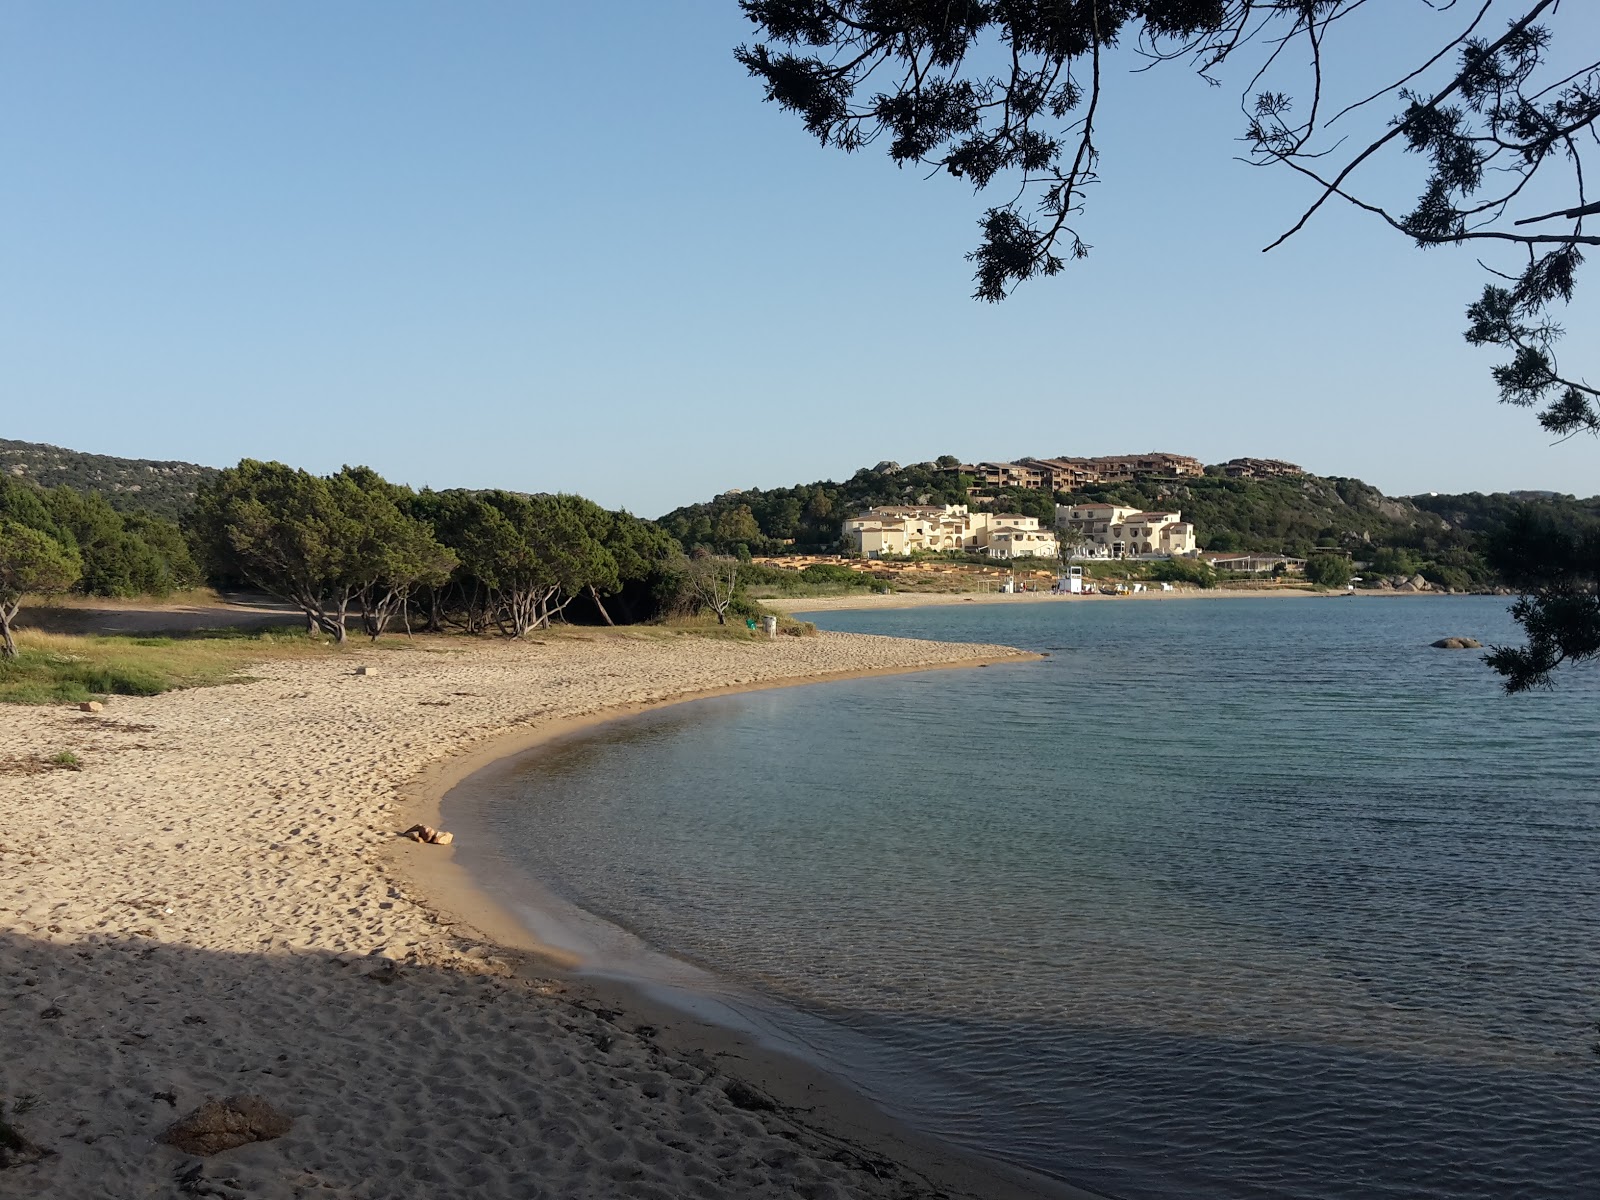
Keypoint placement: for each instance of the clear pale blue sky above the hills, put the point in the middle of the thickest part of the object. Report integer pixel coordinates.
(561, 247)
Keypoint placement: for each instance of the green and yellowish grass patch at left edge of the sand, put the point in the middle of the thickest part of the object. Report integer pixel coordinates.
(70, 670)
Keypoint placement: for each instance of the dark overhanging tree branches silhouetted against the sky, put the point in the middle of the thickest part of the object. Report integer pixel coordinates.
(1010, 95)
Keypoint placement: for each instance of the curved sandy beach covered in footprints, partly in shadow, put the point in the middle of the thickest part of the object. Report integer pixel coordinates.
(220, 903)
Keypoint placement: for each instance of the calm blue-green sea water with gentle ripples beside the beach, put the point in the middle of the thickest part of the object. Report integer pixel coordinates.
(1244, 898)
